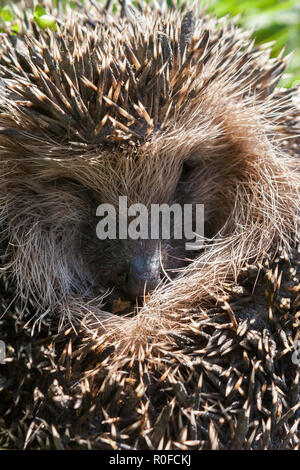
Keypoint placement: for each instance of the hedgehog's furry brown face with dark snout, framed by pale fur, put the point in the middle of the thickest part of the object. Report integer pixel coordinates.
(132, 268)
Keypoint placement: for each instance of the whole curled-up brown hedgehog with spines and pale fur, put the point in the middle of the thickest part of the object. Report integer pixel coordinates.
(168, 108)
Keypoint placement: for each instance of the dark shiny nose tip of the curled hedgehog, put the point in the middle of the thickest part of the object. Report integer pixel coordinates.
(143, 276)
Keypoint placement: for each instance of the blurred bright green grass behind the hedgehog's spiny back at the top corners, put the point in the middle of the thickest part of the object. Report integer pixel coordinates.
(271, 20)
